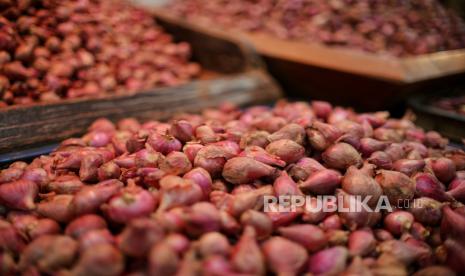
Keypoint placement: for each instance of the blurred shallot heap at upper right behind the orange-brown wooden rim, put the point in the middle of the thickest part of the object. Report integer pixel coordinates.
(395, 27)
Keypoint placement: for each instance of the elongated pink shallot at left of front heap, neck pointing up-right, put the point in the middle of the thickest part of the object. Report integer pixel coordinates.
(89, 199)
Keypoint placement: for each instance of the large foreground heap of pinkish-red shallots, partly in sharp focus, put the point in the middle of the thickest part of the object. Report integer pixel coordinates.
(187, 197)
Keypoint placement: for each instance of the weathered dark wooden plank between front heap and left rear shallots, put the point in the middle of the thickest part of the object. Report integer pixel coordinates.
(21, 127)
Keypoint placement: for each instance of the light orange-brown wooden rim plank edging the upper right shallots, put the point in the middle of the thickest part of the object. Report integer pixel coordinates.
(407, 70)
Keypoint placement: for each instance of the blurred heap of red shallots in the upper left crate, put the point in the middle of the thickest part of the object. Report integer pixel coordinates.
(52, 49)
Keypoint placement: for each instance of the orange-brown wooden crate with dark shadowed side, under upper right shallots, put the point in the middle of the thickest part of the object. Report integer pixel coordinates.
(349, 77)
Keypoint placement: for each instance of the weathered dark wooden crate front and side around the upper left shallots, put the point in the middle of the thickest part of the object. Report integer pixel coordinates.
(233, 72)
